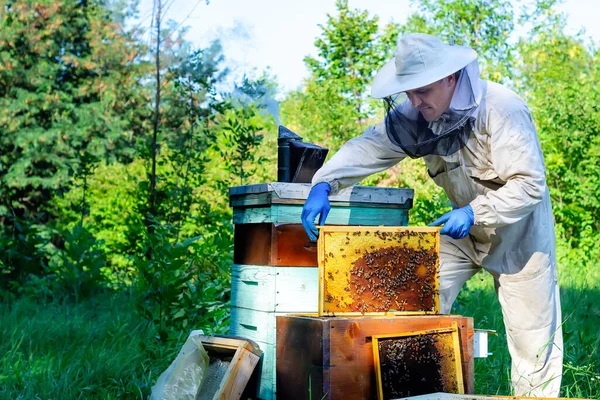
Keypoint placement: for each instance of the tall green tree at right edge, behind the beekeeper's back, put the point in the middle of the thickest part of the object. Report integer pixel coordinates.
(558, 74)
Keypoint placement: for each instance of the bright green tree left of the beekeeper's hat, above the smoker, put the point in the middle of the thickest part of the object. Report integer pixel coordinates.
(334, 105)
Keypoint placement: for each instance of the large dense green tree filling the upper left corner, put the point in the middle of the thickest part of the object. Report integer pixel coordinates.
(69, 85)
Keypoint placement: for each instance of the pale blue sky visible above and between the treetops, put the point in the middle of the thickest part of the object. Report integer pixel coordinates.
(278, 34)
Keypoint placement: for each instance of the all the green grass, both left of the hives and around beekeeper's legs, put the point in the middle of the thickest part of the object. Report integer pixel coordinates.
(100, 349)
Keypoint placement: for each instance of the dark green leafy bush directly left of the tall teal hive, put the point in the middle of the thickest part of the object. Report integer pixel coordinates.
(185, 284)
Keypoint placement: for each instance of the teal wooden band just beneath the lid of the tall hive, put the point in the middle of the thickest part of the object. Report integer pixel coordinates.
(290, 214)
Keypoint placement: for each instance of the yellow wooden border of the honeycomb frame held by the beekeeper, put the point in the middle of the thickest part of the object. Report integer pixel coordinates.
(323, 230)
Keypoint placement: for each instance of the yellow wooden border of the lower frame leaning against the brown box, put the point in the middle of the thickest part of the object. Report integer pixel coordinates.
(456, 346)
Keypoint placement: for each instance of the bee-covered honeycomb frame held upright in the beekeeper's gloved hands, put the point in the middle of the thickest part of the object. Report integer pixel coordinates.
(378, 270)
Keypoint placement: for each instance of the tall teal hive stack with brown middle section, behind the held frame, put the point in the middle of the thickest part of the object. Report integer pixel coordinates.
(275, 267)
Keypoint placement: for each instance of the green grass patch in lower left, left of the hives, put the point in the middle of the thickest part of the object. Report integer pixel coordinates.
(95, 350)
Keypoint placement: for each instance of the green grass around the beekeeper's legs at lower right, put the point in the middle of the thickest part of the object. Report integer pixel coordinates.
(580, 303)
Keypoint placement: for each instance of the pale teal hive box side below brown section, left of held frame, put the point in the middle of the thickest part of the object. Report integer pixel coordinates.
(296, 290)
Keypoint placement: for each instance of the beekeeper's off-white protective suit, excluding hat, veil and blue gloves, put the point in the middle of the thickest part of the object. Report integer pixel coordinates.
(501, 174)
